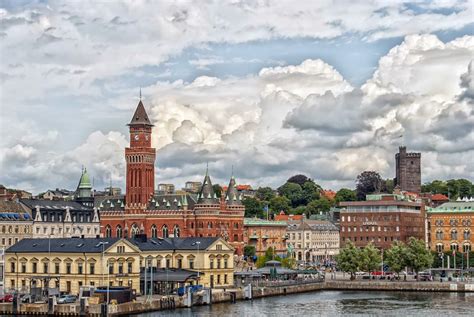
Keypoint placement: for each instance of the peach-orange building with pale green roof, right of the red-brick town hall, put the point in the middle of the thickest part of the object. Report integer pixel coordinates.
(264, 234)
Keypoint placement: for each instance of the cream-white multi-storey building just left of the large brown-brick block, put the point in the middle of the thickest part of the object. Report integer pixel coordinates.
(313, 242)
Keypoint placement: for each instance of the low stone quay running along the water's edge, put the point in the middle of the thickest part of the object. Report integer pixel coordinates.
(160, 303)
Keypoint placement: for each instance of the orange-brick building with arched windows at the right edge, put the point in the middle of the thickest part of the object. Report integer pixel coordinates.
(451, 226)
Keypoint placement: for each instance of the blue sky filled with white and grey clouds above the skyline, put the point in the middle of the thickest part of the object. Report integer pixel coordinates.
(269, 88)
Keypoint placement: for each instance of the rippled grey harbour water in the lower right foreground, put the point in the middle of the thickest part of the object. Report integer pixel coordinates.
(340, 303)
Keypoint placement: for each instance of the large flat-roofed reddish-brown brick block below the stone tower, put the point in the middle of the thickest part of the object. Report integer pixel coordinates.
(381, 219)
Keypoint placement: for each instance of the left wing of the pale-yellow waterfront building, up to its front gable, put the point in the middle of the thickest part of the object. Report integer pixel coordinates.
(71, 263)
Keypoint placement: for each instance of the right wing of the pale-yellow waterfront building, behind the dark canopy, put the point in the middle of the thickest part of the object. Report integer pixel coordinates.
(178, 260)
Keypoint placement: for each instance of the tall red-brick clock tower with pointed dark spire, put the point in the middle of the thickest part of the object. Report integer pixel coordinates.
(140, 158)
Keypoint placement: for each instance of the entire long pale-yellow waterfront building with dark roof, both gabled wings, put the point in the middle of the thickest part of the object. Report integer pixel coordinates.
(68, 264)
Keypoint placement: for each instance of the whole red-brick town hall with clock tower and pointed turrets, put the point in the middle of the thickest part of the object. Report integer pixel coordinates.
(179, 215)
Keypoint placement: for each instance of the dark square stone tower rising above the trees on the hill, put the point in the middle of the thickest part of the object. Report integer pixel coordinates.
(408, 171)
